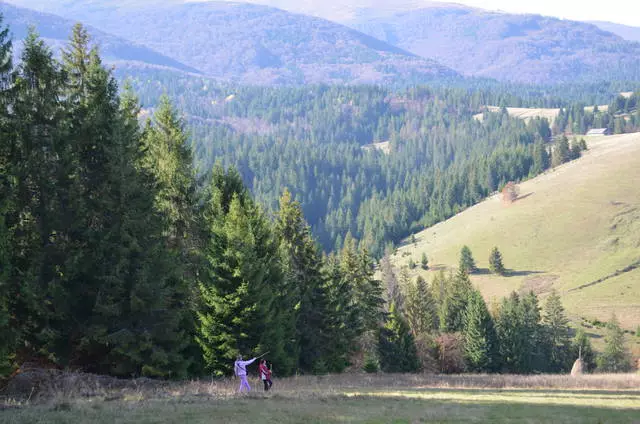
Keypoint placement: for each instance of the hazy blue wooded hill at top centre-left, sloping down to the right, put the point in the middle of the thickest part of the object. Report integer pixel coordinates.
(260, 45)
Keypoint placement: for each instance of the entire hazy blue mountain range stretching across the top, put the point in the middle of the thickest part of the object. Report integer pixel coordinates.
(256, 44)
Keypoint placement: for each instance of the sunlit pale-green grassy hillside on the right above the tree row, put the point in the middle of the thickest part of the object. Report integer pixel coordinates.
(575, 229)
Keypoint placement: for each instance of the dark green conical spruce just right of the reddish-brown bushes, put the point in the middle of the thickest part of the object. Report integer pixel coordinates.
(480, 340)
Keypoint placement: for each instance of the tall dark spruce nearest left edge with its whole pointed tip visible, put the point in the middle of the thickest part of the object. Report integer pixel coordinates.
(35, 147)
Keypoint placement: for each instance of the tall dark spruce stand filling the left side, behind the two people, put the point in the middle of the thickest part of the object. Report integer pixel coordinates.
(115, 259)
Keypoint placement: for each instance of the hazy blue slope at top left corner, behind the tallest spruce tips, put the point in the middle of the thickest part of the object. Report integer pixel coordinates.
(56, 30)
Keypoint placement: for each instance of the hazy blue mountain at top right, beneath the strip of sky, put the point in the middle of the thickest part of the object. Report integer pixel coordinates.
(525, 48)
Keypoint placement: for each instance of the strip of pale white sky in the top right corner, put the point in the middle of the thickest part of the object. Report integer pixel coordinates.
(620, 11)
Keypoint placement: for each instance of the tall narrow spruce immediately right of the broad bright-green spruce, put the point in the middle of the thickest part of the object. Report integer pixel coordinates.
(305, 297)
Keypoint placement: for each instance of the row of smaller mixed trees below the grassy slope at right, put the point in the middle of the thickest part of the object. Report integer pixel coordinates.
(447, 326)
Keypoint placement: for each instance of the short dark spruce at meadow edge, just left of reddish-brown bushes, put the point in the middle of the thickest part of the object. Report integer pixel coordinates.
(396, 345)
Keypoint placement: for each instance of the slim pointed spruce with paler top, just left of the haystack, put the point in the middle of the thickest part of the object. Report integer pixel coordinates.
(557, 334)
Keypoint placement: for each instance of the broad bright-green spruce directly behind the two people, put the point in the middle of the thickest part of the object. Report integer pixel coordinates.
(241, 280)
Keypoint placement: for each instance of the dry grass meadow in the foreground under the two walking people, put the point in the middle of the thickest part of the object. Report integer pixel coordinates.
(356, 399)
